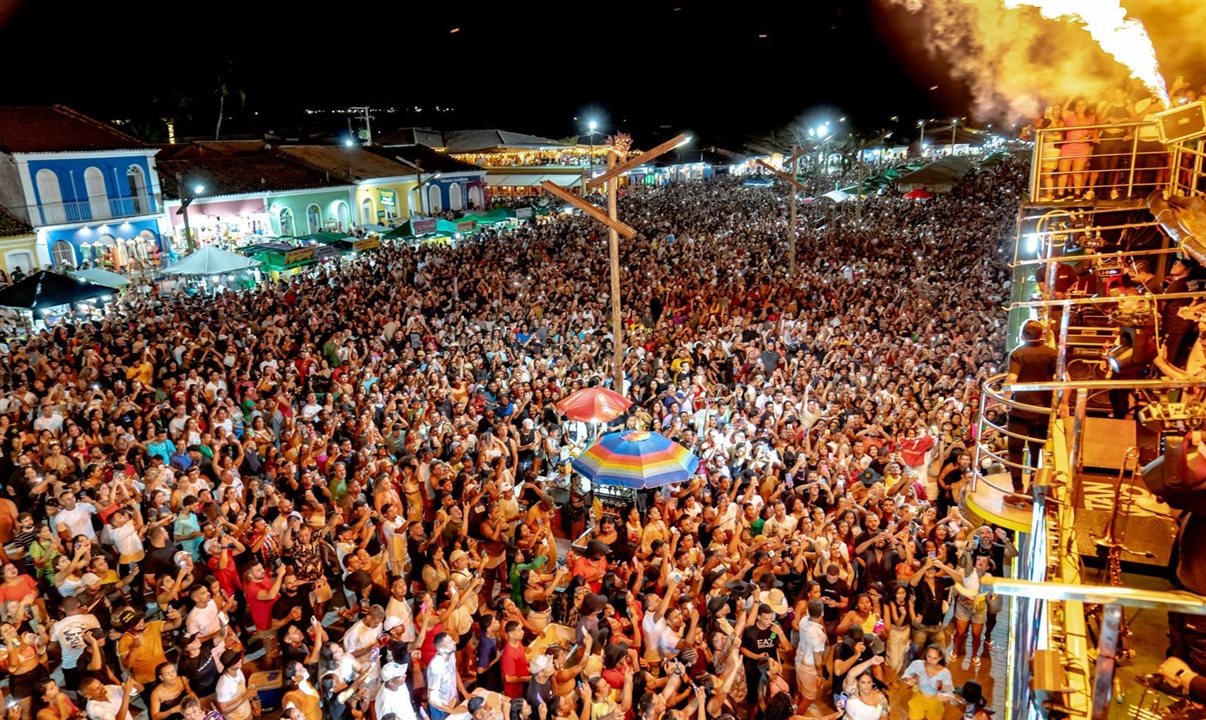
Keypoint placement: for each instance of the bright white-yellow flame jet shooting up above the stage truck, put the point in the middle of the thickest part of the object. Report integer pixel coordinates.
(1126, 39)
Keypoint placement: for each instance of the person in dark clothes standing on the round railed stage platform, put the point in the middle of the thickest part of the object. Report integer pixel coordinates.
(1034, 361)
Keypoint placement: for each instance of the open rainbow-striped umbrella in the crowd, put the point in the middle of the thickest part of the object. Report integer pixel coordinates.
(636, 460)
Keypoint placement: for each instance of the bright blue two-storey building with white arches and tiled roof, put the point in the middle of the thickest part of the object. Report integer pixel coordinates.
(90, 192)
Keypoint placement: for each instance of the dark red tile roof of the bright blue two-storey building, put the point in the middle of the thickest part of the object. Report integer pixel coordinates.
(58, 130)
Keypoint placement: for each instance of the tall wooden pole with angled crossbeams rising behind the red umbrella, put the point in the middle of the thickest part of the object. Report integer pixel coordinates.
(616, 229)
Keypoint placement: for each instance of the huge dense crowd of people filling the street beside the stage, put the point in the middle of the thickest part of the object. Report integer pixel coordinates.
(360, 479)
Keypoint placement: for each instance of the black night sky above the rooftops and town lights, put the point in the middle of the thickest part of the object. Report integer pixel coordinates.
(728, 72)
